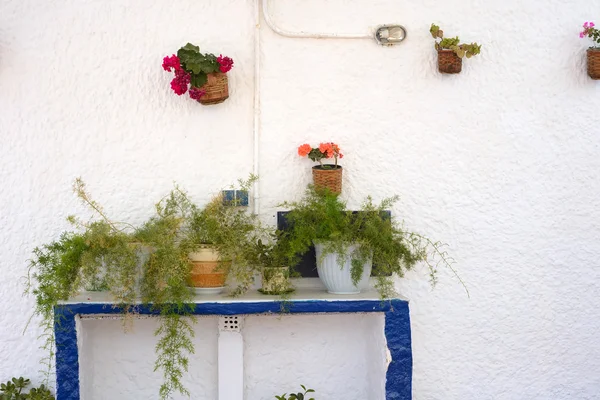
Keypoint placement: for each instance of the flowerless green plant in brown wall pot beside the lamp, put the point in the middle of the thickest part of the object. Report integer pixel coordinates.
(451, 52)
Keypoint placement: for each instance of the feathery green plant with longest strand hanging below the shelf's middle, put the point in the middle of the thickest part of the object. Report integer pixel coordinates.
(165, 287)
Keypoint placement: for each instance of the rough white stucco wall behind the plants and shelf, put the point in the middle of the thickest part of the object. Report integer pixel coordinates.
(501, 162)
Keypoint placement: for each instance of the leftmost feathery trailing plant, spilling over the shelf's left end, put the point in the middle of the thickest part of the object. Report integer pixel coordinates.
(98, 254)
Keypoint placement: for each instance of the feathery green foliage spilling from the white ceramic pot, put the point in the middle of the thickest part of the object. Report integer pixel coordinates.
(322, 217)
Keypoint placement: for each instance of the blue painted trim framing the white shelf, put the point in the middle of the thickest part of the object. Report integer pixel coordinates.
(397, 333)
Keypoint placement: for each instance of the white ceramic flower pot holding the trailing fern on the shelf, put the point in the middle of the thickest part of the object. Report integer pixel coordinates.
(339, 280)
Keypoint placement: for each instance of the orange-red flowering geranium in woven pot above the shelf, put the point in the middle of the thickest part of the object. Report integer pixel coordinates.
(324, 175)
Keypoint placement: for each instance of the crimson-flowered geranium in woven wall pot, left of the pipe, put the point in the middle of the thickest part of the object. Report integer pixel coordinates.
(204, 74)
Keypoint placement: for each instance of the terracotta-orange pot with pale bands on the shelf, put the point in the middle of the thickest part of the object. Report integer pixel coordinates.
(207, 269)
